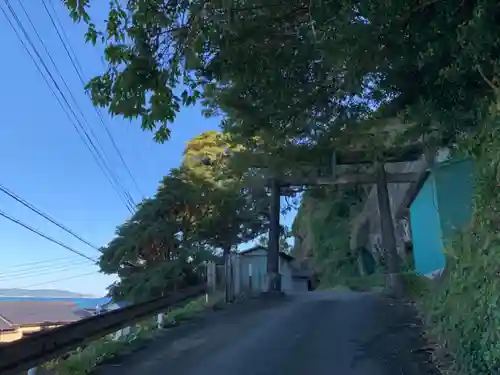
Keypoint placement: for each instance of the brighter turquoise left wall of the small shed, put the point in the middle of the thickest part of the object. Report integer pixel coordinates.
(426, 230)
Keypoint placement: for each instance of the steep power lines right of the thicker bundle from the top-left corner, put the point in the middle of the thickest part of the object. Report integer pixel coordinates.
(79, 71)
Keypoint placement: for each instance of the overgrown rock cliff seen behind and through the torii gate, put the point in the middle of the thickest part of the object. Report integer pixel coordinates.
(319, 232)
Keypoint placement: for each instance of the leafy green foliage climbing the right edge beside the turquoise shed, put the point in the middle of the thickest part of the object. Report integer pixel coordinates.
(462, 308)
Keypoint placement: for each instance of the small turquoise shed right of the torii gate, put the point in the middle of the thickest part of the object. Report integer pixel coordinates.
(441, 206)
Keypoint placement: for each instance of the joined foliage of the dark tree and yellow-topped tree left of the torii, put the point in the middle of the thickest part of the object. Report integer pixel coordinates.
(199, 208)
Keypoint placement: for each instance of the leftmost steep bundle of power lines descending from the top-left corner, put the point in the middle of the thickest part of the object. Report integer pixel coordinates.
(79, 128)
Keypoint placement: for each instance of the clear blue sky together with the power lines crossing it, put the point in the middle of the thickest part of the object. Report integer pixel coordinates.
(53, 155)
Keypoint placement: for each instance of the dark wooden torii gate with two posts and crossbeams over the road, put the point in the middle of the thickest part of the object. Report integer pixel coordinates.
(379, 177)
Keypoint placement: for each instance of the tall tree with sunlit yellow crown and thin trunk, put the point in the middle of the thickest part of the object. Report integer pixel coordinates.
(235, 215)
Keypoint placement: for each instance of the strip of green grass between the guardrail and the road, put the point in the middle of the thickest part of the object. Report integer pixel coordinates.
(84, 360)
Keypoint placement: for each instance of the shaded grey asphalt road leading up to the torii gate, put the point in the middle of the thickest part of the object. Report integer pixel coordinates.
(314, 333)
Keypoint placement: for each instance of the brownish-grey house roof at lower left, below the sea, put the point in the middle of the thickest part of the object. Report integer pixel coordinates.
(27, 313)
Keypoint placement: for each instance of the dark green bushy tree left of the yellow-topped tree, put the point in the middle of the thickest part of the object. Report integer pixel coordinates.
(155, 251)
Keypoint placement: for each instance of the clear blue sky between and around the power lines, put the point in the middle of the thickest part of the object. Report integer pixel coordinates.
(43, 160)
